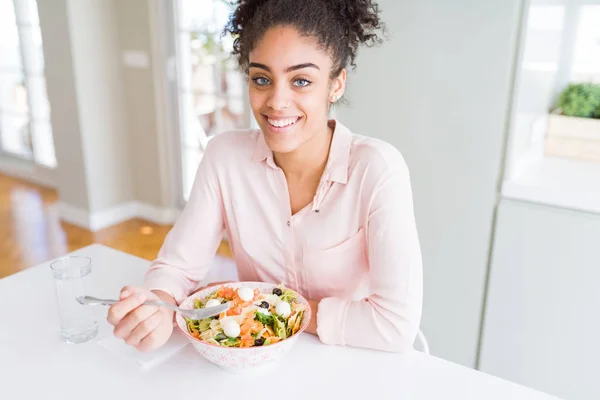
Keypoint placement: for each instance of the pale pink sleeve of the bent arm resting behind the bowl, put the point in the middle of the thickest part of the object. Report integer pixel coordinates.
(388, 319)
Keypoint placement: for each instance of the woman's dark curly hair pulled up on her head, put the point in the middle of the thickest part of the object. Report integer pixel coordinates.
(340, 26)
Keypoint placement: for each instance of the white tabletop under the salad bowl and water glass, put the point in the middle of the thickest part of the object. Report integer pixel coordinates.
(36, 364)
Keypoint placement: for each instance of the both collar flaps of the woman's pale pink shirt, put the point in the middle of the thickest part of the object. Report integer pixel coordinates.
(336, 169)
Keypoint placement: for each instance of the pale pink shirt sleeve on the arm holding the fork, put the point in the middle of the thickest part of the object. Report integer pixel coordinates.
(190, 246)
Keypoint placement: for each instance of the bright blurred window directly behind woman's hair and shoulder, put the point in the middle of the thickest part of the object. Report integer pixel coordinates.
(211, 90)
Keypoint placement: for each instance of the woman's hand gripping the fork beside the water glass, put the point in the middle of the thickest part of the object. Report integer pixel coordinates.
(141, 326)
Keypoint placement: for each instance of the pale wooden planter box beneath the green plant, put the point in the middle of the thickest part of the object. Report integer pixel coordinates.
(573, 137)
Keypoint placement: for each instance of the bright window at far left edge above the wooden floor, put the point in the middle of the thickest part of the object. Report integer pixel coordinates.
(25, 129)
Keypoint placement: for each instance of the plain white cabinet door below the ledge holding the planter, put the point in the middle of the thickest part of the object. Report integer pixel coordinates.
(542, 317)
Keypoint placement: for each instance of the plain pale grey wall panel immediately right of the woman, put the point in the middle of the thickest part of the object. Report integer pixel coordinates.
(439, 92)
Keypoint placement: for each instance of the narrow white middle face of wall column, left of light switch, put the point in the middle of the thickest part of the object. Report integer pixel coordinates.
(101, 102)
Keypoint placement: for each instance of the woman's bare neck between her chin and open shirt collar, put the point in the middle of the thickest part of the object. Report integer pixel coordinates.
(307, 160)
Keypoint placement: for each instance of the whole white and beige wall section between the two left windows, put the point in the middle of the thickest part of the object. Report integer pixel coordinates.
(111, 166)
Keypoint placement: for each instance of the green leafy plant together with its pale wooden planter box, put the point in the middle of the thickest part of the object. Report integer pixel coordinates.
(574, 126)
